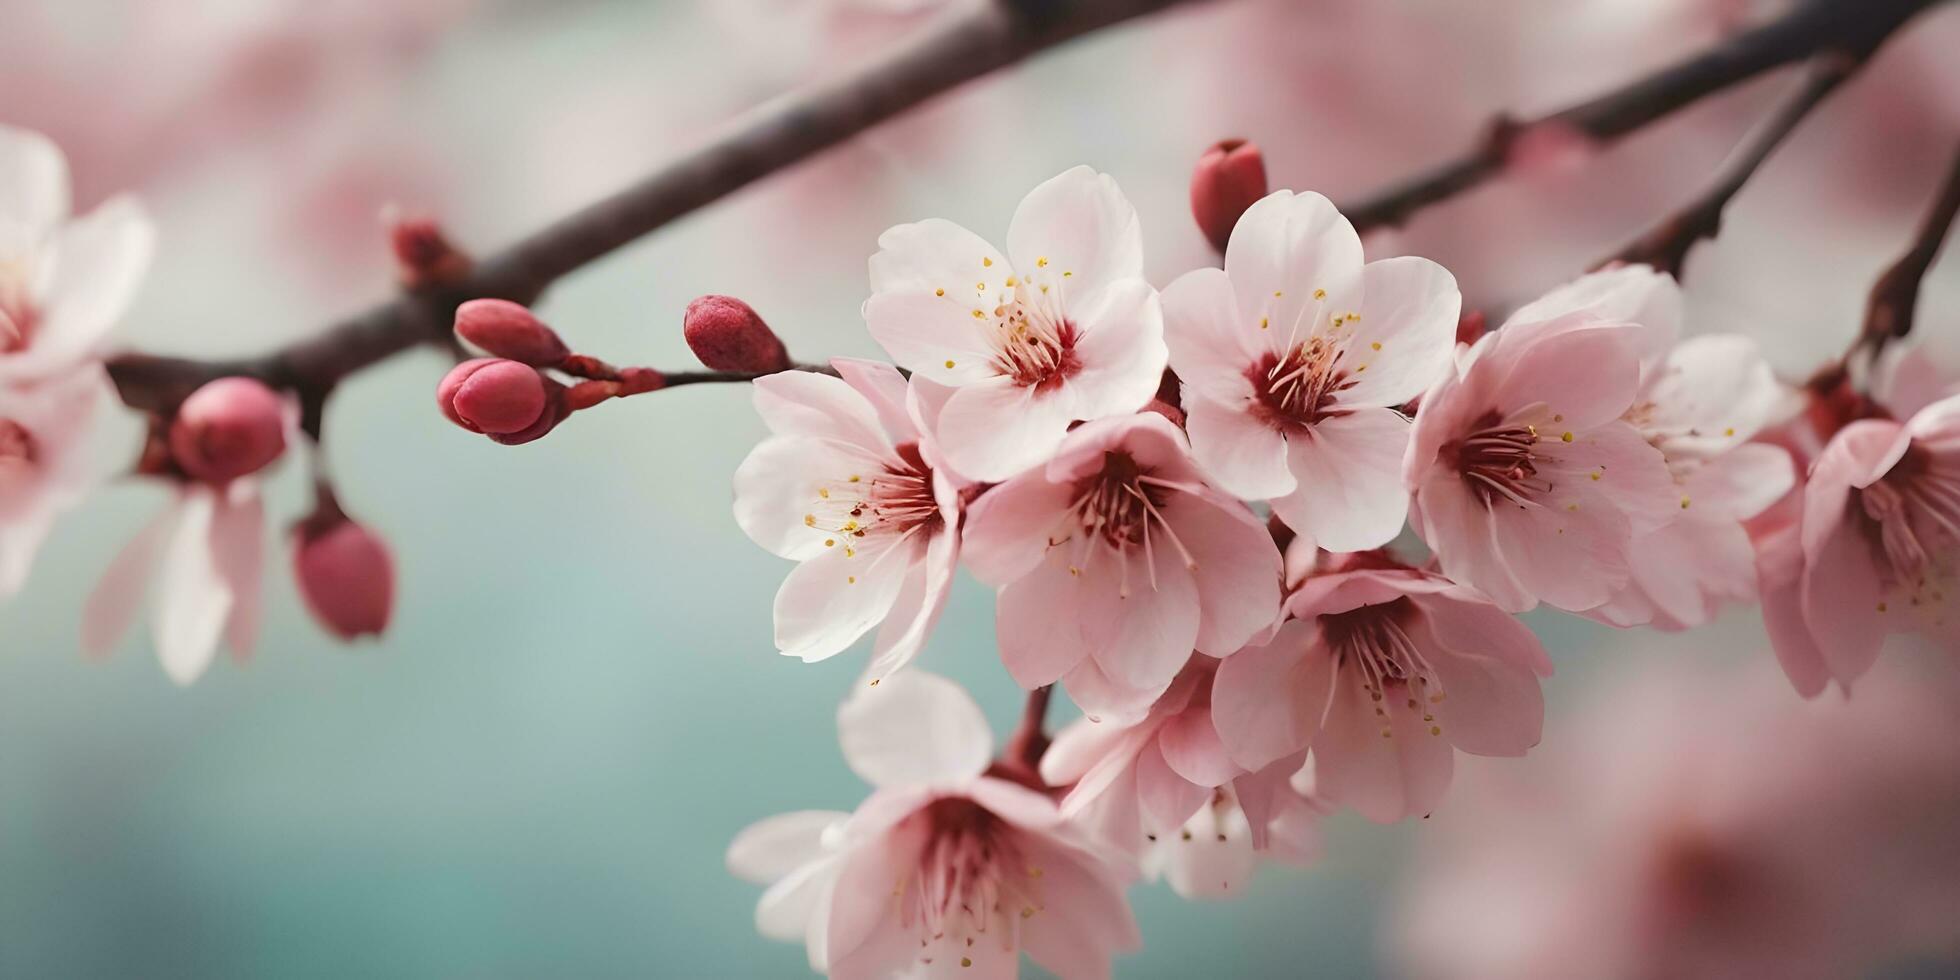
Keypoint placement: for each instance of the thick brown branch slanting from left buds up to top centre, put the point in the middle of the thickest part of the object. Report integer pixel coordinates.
(767, 140)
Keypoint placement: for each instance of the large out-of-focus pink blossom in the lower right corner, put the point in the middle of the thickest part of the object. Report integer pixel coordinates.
(1702, 824)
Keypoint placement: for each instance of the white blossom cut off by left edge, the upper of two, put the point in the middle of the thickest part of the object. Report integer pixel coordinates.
(64, 281)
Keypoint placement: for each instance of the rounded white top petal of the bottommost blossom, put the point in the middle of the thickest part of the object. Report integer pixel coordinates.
(914, 730)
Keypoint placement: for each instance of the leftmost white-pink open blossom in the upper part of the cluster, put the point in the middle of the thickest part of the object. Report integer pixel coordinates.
(852, 485)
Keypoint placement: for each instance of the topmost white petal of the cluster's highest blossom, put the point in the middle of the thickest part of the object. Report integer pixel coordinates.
(1079, 224)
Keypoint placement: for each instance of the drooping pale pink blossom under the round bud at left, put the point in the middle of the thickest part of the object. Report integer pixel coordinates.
(201, 565)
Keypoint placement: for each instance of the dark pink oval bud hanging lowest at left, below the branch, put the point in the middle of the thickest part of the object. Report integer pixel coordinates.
(346, 577)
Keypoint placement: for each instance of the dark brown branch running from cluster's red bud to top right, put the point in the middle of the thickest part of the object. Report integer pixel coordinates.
(1812, 28)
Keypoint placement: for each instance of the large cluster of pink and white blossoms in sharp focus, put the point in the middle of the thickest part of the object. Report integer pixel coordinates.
(1195, 509)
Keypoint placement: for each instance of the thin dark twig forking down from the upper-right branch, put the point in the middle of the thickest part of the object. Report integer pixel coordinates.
(1667, 244)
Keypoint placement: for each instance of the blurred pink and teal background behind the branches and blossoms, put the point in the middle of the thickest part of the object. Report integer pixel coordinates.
(579, 705)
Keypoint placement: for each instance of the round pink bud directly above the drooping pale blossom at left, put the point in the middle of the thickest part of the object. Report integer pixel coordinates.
(226, 430)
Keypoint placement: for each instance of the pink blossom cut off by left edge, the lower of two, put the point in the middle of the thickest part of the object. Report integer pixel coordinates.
(44, 462)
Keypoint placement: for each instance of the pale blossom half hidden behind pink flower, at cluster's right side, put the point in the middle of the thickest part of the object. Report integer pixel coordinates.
(1700, 405)
